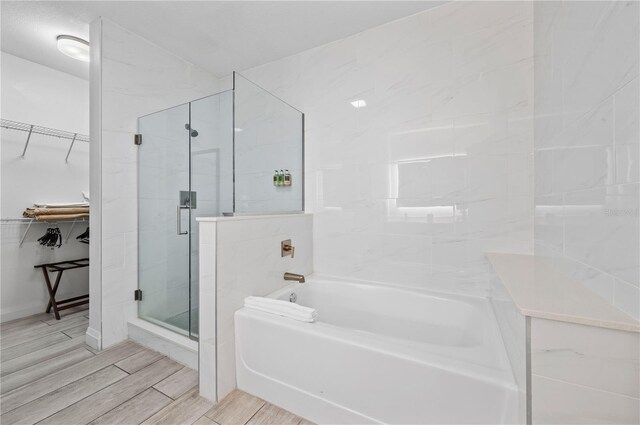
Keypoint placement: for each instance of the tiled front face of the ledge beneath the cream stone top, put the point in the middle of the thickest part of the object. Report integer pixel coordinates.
(584, 374)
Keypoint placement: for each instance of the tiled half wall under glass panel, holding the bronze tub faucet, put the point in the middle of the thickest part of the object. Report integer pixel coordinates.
(240, 256)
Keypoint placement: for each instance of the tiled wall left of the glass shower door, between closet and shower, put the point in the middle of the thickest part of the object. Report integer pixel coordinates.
(130, 77)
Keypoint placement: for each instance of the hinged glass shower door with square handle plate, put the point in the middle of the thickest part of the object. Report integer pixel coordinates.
(164, 199)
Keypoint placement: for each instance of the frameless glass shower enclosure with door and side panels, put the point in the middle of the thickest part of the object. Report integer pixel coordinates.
(210, 157)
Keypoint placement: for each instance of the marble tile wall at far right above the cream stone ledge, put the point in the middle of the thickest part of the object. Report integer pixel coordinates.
(587, 160)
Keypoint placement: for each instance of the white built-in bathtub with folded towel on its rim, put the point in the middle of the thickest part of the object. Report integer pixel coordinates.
(378, 354)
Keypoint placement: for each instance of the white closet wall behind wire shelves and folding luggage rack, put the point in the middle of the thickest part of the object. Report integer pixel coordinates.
(35, 94)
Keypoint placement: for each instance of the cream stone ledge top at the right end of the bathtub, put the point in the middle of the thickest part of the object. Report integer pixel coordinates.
(540, 290)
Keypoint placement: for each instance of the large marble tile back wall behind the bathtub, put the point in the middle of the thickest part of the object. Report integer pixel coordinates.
(449, 100)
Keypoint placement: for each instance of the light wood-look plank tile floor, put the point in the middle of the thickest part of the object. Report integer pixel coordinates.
(48, 375)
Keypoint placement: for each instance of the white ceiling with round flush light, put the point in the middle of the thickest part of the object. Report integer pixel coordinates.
(219, 36)
